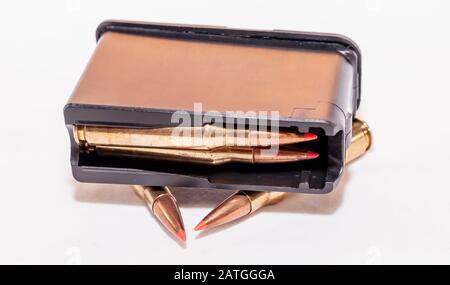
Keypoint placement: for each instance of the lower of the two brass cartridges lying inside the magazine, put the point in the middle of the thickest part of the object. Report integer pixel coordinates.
(215, 156)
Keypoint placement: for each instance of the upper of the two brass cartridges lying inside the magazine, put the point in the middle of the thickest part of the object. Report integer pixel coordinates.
(203, 138)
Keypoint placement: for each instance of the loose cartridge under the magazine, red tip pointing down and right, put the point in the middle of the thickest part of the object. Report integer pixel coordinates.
(163, 205)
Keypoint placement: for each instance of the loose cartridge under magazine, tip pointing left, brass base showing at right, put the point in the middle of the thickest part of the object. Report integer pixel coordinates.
(243, 203)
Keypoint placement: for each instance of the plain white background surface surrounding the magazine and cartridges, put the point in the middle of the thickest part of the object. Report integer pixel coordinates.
(393, 206)
